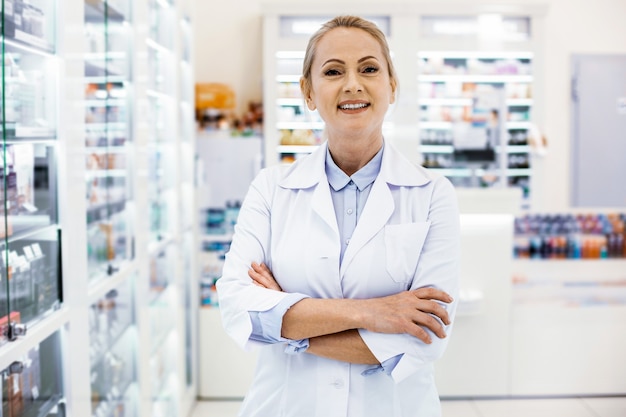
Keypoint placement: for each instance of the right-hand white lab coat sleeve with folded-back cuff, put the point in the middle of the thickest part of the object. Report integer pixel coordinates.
(437, 267)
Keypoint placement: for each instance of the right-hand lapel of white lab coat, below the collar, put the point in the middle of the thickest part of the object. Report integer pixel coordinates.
(377, 211)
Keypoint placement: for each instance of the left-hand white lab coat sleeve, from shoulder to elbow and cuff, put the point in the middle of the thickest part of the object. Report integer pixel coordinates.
(238, 295)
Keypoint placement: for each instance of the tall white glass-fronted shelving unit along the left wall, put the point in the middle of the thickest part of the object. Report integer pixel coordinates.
(95, 350)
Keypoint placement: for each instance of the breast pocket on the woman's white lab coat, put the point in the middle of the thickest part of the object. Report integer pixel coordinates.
(403, 246)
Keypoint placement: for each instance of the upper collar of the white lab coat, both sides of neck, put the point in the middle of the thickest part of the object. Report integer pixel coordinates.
(395, 170)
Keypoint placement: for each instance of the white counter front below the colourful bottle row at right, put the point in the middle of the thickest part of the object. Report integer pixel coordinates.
(568, 328)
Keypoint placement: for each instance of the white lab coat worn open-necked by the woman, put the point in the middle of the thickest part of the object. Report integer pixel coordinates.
(407, 237)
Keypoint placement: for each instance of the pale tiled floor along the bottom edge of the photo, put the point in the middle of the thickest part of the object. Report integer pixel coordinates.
(552, 407)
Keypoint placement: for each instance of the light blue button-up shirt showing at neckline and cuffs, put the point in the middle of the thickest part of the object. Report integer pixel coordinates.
(349, 195)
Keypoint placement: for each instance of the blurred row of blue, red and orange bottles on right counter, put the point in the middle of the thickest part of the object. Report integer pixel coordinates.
(570, 236)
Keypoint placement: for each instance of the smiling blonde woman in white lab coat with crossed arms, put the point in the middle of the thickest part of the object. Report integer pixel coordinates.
(343, 264)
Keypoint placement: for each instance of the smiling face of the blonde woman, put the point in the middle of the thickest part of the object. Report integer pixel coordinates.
(350, 85)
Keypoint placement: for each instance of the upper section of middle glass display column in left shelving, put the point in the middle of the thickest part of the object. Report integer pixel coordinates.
(108, 145)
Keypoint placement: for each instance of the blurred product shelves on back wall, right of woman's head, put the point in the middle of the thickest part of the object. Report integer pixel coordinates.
(450, 87)
